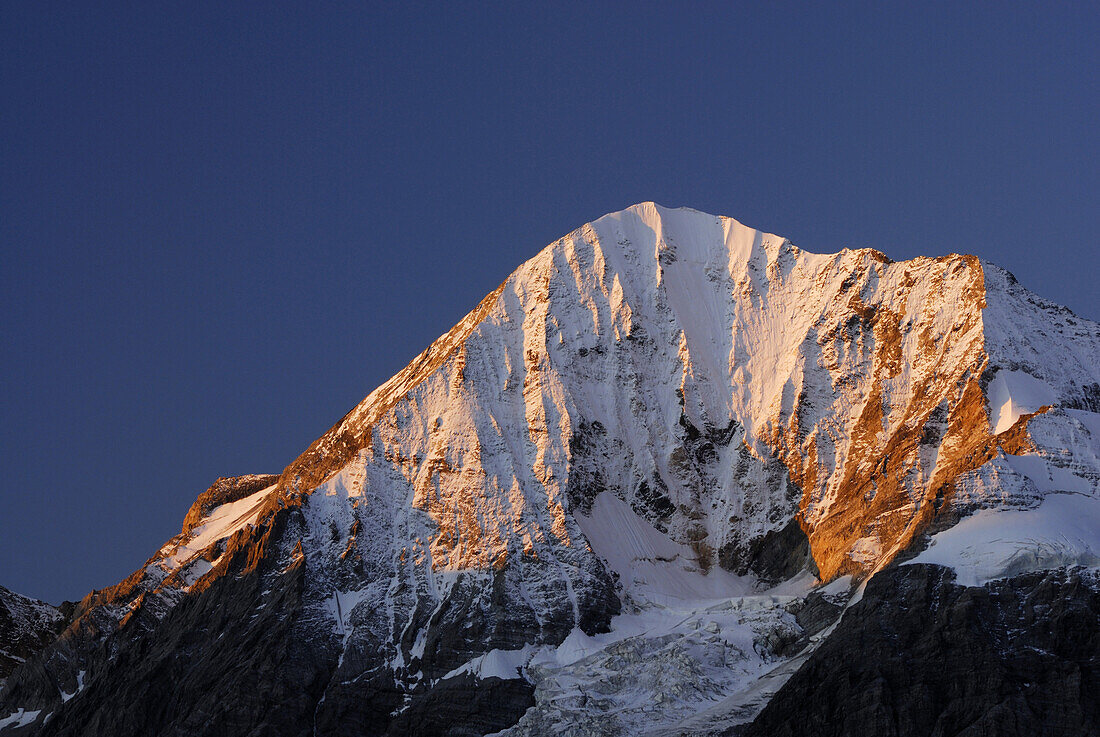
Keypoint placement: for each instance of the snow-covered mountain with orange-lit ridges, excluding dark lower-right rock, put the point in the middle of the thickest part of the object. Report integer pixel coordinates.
(630, 493)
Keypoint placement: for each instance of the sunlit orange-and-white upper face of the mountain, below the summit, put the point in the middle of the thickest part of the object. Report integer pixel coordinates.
(718, 380)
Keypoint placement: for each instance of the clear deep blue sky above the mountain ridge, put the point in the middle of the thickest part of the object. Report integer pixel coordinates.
(223, 225)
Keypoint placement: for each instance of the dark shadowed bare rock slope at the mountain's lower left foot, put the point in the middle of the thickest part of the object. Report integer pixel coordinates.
(247, 656)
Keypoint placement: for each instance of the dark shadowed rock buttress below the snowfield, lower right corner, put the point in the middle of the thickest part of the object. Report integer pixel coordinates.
(922, 656)
